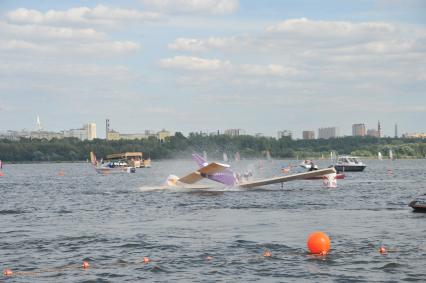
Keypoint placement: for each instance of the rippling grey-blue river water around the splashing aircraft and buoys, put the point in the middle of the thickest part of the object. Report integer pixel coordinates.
(50, 224)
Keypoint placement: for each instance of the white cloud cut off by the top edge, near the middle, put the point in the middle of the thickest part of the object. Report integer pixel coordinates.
(215, 7)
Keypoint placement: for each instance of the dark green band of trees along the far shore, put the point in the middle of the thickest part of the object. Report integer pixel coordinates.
(179, 146)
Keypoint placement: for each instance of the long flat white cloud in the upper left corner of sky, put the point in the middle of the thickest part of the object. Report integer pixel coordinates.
(99, 15)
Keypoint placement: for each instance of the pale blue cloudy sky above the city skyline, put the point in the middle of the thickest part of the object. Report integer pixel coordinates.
(209, 65)
